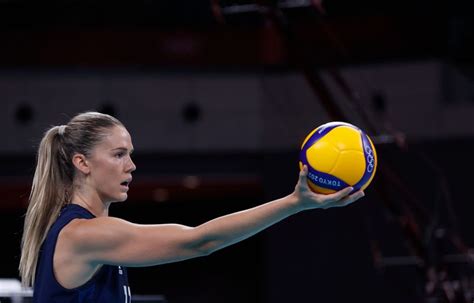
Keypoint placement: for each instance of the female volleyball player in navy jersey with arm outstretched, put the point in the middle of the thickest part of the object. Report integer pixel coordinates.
(72, 251)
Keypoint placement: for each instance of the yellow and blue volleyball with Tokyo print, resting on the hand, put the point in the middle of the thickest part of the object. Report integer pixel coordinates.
(338, 155)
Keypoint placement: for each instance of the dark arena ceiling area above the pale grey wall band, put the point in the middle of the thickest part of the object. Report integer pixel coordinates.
(241, 34)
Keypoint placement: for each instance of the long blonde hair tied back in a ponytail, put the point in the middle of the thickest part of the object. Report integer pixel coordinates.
(53, 180)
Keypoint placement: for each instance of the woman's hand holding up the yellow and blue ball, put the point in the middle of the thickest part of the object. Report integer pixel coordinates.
(307, 199)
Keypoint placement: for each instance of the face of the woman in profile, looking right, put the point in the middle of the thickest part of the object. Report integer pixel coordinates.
(111, 166)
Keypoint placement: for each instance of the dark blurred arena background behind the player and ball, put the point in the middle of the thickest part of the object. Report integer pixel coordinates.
(218, 96)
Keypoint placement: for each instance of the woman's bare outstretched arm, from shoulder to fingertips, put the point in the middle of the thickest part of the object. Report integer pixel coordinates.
(115, 241)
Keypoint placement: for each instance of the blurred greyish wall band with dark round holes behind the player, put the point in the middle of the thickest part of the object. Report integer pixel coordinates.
(241, 111)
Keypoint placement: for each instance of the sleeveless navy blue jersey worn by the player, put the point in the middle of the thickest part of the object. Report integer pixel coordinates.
(109, 284)
